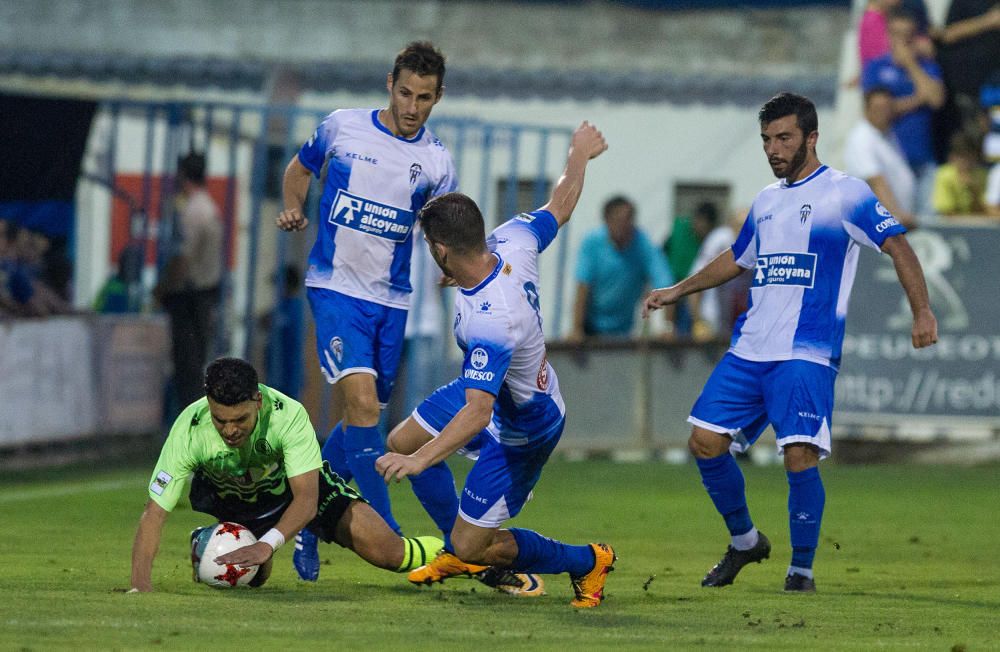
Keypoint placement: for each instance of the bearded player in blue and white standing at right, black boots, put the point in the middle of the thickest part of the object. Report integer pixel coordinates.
(801, 239)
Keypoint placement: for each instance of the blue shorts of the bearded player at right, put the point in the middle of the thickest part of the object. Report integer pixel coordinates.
(742, 397)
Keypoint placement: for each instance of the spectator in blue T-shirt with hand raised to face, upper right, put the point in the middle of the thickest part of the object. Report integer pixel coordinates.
(917, 90)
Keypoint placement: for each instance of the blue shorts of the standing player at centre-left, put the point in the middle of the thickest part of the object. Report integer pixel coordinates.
(357, 336)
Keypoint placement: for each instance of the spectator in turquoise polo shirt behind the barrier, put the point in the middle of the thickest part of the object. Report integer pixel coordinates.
(615, 264)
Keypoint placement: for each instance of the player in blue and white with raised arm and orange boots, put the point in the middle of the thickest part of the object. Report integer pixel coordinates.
(507, 396)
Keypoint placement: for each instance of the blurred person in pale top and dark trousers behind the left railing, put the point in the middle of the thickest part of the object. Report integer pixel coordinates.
(189, 284)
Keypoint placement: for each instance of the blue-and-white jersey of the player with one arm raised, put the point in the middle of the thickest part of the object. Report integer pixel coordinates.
(498, 325)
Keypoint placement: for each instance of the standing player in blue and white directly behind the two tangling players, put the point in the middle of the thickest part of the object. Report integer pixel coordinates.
(381, 165)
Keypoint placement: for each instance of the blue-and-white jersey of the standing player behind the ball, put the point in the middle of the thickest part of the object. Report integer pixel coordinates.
(375, 185)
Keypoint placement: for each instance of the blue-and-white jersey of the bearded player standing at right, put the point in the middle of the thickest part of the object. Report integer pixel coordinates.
(802, 241)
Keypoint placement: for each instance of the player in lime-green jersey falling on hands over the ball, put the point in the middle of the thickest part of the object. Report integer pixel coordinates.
(252, 458)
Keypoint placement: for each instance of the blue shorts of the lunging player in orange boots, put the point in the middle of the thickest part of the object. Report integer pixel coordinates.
(504, 474)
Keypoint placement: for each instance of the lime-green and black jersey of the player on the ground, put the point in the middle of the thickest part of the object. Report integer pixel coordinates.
(282, 445)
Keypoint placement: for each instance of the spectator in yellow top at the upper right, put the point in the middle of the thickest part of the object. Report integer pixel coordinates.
(961, 182)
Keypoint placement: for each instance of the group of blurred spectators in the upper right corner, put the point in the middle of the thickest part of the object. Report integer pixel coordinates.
(931, 127)
